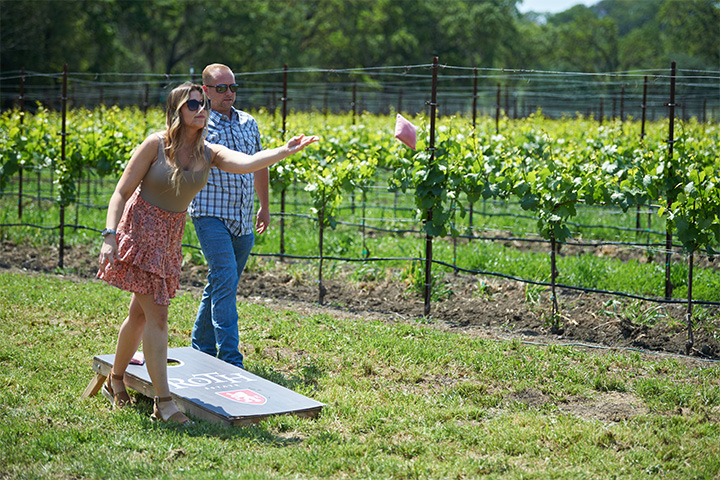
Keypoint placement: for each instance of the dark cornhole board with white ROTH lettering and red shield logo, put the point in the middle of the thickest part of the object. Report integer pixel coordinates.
(210, 389)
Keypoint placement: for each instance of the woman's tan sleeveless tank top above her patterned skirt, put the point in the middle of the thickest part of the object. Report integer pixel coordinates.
(157, 190)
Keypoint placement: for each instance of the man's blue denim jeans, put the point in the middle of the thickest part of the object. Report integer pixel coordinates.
(216, 327)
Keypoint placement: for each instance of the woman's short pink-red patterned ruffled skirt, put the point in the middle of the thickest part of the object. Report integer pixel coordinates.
(149, 253)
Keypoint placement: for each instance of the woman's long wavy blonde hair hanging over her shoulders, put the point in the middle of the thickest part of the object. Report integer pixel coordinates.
(176, 130)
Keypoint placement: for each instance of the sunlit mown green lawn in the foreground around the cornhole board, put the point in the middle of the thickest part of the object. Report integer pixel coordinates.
(404, 400)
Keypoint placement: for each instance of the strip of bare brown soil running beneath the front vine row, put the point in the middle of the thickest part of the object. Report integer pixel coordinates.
(487, 306)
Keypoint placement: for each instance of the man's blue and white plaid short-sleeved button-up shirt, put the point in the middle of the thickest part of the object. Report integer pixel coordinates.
(230, 196)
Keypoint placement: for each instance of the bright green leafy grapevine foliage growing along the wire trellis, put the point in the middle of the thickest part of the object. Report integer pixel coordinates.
(548, 170)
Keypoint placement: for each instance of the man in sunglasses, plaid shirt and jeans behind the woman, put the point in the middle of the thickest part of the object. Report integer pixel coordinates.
(223, 217)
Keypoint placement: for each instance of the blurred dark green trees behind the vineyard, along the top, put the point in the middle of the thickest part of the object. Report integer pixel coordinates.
(178, 36)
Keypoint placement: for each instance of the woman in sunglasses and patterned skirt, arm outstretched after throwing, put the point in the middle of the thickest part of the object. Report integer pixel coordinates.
(141, 250)
